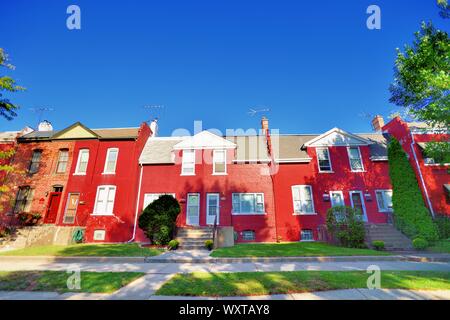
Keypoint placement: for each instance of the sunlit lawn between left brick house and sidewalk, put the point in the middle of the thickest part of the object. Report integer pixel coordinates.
(100, 250)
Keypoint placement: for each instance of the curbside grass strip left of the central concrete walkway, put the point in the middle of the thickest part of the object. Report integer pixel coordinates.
(95, 282)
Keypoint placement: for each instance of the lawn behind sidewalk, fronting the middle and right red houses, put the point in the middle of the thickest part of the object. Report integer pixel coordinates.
(308, 249)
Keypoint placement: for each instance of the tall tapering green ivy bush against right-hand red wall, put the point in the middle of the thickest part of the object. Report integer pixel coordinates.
(411, 216)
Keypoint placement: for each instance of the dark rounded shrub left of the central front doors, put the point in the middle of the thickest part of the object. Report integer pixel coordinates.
(158, 219)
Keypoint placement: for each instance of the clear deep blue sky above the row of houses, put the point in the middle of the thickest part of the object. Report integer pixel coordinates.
(313, 63)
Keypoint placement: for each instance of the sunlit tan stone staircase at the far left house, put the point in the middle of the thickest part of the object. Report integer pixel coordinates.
(40, 235)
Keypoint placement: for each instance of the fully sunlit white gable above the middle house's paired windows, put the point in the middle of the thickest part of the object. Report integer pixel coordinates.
(205, 140)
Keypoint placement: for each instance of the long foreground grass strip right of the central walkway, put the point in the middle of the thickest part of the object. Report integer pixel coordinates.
(262, 283)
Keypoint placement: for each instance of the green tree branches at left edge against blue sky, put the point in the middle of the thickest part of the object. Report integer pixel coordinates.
(8, 84)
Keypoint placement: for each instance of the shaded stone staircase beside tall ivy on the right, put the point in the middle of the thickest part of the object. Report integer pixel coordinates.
(393, 239)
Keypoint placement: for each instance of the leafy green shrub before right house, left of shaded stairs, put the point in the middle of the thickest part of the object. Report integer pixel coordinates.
(346, 224)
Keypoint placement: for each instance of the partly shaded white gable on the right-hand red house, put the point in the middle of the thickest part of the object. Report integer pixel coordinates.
(337, 137)
